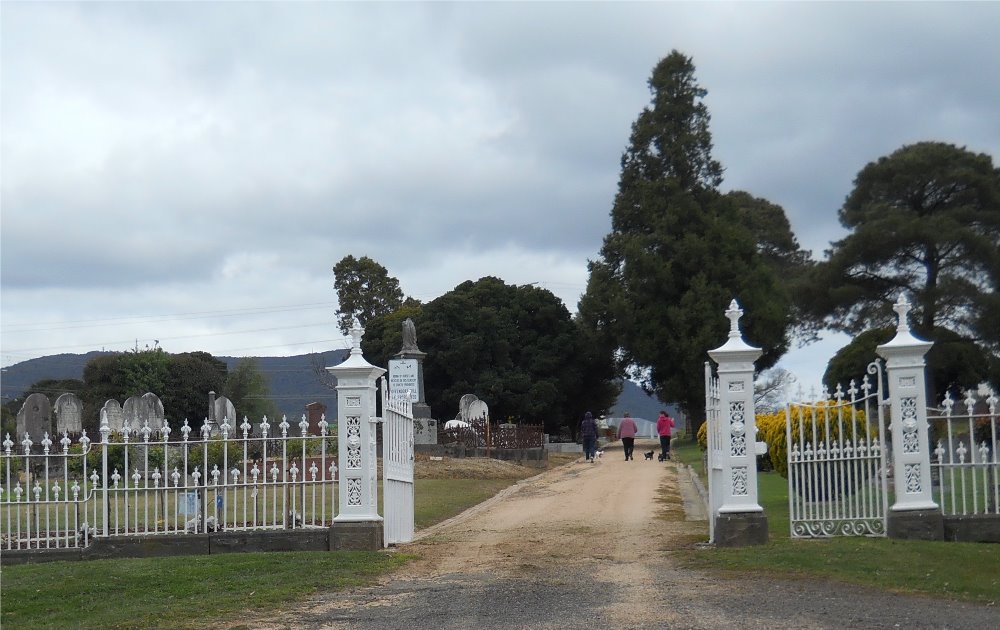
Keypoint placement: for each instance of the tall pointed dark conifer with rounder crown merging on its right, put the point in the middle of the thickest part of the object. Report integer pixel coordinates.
(679, 251)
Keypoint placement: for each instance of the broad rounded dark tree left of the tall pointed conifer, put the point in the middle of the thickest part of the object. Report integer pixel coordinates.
(515, 347)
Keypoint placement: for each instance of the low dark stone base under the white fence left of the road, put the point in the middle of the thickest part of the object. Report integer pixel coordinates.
(362, 536)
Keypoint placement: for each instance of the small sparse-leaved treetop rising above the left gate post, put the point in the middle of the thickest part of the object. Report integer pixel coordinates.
(364, 290)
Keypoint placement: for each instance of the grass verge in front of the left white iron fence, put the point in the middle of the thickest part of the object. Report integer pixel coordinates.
(176, 592)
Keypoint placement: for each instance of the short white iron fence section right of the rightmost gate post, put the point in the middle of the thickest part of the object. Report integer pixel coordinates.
(965, 465)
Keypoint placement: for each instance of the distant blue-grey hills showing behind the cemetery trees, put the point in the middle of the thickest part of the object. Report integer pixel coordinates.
(294, 381)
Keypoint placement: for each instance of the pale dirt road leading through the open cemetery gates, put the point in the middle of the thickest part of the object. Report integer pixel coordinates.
(588, 546)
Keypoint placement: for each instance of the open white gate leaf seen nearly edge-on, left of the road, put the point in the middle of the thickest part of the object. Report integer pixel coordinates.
(397, 467)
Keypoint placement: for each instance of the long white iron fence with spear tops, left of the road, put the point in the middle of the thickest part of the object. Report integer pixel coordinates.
(145, 484)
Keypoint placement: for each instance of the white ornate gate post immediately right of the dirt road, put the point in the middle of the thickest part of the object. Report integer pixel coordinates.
(739, 520)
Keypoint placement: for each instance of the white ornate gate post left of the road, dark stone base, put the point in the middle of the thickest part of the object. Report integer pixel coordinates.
(358, 524)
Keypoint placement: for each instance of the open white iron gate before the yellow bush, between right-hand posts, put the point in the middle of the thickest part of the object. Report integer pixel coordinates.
(837, 481)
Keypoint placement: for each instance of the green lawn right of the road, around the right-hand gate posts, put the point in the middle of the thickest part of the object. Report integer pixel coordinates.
(964, 571)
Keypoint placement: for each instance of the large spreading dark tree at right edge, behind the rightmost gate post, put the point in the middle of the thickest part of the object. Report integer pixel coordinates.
(924, 221)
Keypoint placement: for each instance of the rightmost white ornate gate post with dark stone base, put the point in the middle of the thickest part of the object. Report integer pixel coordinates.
(914, 514)
